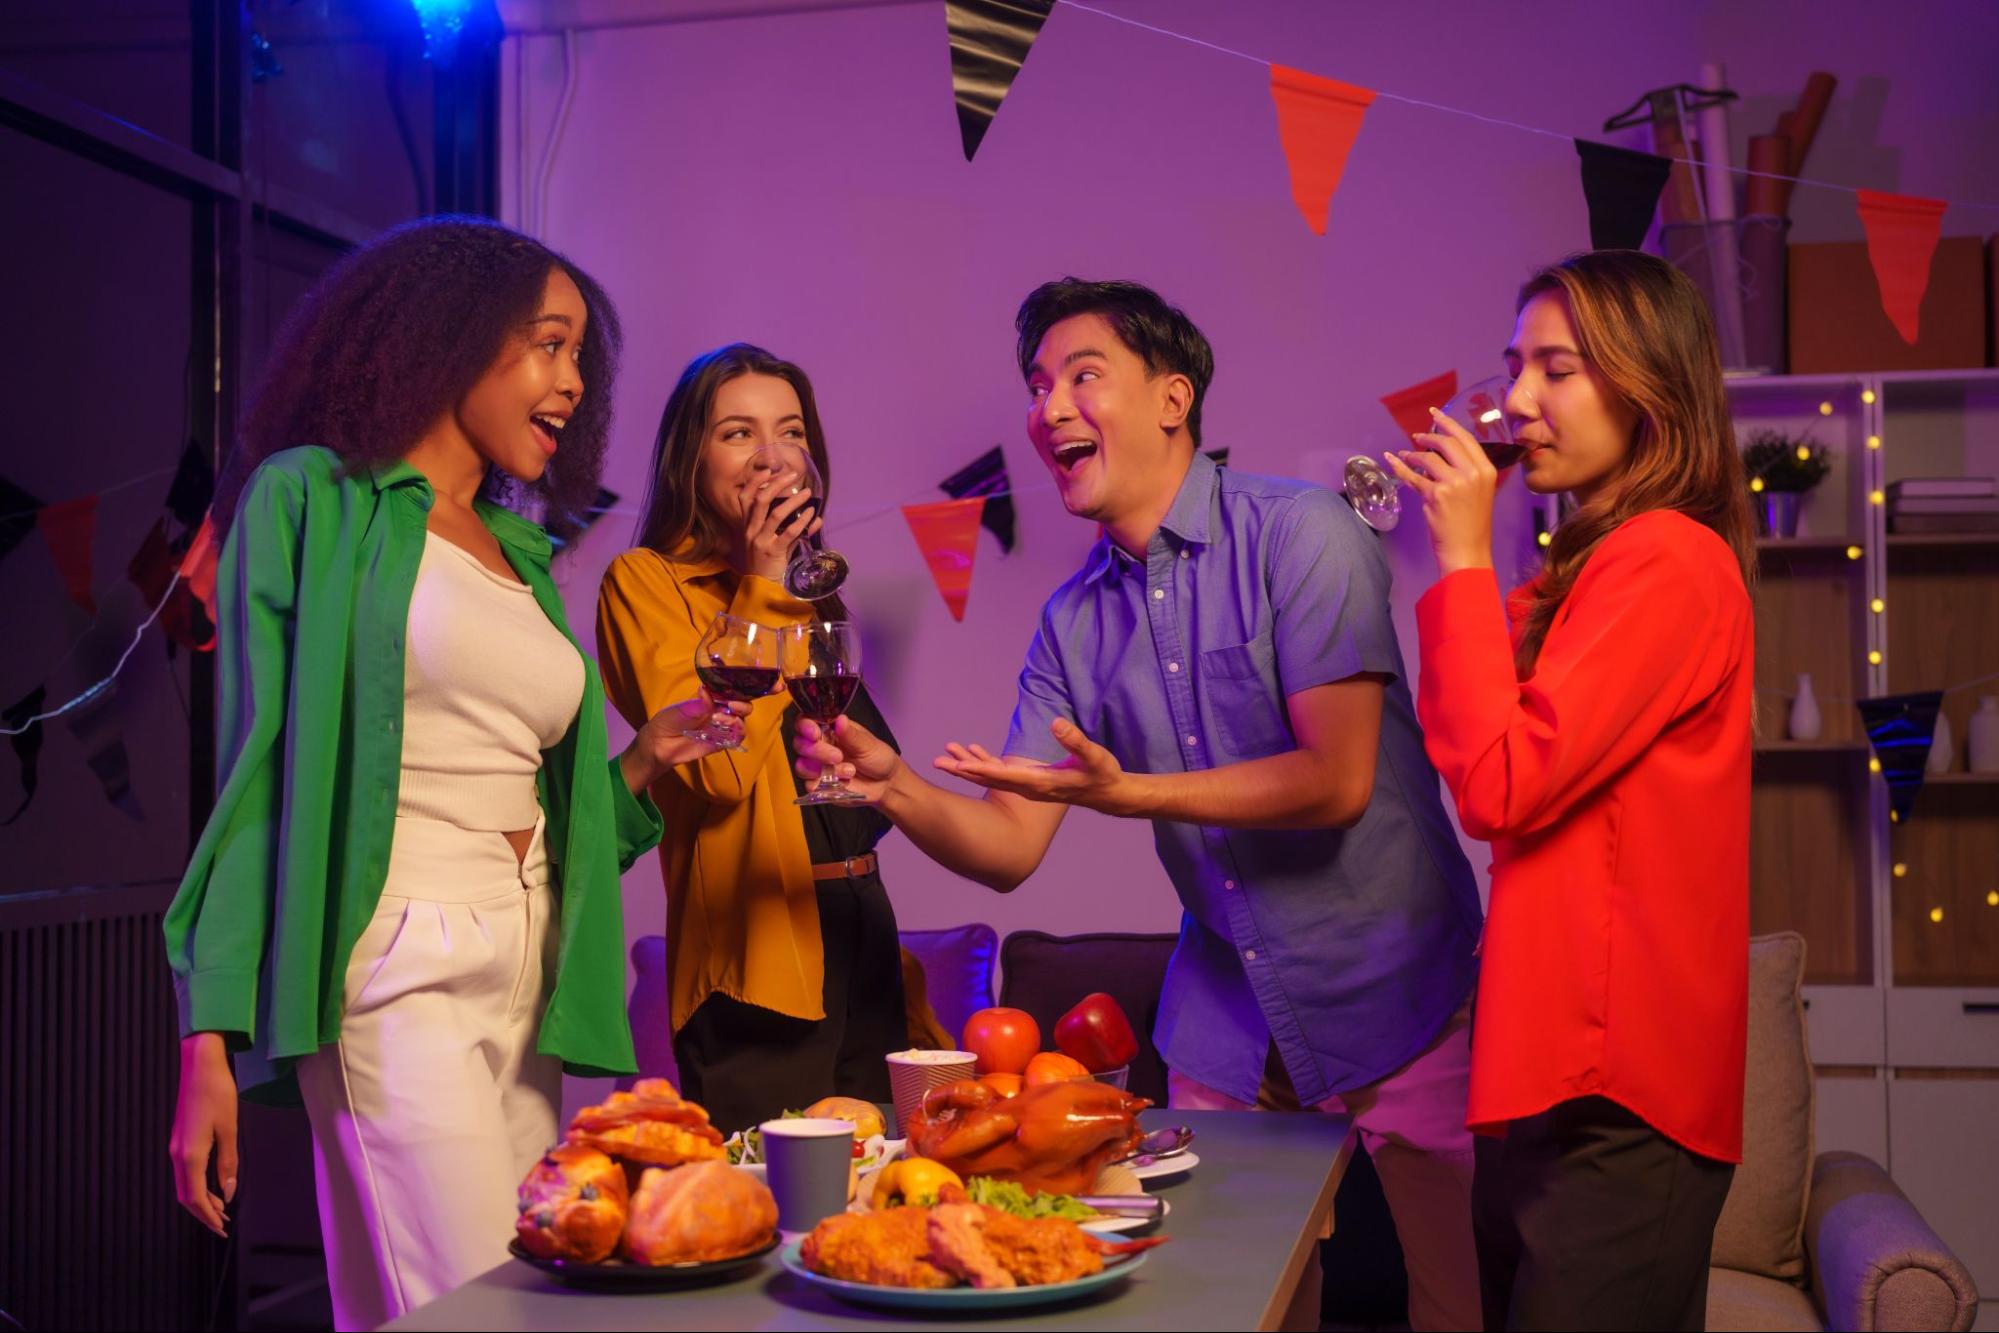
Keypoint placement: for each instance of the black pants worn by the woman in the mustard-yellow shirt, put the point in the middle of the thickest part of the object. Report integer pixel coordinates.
(749, 1064)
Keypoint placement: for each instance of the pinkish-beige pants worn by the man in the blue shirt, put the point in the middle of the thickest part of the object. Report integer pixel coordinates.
(1414, 1128)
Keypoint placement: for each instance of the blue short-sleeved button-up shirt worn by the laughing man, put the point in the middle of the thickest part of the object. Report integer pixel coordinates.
(1346, 948)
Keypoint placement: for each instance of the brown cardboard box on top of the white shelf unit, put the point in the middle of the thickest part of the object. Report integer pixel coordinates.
(1838, 323)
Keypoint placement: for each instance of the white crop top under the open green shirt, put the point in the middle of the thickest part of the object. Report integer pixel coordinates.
(489, 686)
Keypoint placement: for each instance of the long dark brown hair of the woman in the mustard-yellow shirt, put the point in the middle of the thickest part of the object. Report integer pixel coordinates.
(677, 523)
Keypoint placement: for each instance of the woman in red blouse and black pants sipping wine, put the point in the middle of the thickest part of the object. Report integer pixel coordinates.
(1598, 736)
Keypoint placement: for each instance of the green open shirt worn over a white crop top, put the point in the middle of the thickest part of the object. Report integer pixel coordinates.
(313, 607)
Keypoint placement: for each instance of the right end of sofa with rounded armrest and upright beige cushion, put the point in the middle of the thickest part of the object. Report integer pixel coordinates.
(1816, 1240)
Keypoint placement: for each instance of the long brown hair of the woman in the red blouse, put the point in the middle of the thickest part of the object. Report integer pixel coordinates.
(1648, 333)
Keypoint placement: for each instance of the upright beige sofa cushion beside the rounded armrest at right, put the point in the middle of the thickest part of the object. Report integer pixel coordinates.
(1762, 1224)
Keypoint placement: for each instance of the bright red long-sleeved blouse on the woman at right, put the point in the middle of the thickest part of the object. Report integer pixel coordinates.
(1614, 788)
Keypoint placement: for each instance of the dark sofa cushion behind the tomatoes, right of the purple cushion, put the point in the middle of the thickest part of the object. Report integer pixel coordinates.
(1048, 974)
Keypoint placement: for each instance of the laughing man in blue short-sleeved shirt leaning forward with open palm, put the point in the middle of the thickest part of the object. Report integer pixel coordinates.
(1224, 665)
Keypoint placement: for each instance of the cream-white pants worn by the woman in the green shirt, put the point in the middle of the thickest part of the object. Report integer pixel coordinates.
(433, 1106)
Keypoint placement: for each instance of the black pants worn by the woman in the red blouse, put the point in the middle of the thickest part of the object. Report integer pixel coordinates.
(1588, 1218)
